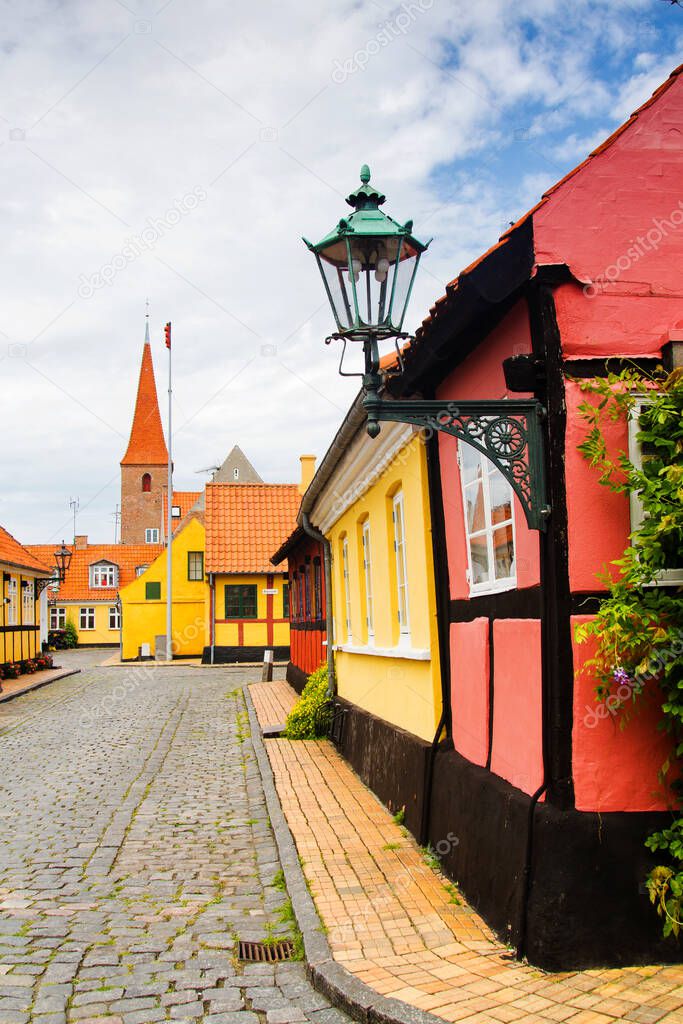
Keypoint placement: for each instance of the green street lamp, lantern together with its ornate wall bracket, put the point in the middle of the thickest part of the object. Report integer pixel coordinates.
(368, 264)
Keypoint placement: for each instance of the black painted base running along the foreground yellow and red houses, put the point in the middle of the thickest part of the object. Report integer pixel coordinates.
(588, 906)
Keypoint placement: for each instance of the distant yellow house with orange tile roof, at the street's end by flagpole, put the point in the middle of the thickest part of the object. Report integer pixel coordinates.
(229, 605)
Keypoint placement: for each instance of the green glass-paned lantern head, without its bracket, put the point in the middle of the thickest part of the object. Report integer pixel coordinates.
(368, 264)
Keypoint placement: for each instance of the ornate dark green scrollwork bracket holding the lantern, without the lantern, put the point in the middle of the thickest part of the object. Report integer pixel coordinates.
(508, 433)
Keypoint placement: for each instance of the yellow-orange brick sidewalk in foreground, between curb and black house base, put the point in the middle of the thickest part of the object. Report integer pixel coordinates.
(397, 924)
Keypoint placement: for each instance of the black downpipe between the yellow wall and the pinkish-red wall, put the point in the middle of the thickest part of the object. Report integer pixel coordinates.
(442, 586)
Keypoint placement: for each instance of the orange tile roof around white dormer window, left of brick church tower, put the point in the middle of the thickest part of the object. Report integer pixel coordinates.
(77, 585)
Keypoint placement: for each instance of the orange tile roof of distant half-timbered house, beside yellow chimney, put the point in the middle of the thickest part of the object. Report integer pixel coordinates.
(246, 523)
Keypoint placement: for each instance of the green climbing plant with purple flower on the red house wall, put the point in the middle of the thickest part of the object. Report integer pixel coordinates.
(638, 631)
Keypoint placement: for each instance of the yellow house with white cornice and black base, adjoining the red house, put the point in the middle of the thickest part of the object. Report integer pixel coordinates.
(370, 499)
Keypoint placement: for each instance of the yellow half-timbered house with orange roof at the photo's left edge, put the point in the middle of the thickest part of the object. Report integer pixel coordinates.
(21, 613)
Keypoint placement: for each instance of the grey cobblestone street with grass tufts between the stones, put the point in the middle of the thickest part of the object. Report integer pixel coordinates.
(137, 850)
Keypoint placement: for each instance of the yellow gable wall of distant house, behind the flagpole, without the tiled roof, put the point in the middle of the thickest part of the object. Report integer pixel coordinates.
(144, 601)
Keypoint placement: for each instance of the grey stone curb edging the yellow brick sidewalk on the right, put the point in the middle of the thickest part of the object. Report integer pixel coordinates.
(339, 986)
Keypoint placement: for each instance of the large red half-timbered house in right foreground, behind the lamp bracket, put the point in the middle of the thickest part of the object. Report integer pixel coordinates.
(551, 806)
